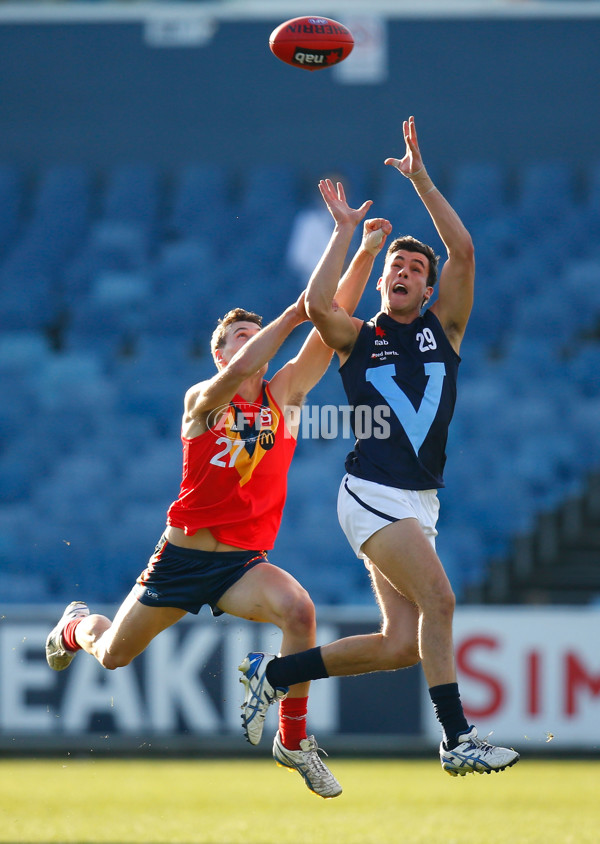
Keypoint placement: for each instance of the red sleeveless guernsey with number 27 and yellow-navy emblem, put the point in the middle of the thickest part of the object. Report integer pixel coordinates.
(235, 475)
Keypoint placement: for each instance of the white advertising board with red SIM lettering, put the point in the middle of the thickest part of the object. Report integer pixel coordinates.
(529, 675)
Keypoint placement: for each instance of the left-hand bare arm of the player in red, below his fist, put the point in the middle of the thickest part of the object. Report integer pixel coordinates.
(247, 363)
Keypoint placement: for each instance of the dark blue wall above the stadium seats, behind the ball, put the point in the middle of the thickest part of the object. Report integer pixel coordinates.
(104, 83)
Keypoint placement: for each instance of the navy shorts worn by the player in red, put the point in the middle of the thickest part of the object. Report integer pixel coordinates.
(187, 579)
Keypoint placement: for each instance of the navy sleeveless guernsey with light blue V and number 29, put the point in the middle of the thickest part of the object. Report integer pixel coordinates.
(406, 375)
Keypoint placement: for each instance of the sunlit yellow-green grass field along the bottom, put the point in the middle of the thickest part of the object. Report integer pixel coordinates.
(255, 802)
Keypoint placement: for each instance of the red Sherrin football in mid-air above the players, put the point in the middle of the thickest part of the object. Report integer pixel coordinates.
(311, 43)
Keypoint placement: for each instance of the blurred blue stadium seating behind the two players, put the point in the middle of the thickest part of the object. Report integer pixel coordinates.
(110, 288)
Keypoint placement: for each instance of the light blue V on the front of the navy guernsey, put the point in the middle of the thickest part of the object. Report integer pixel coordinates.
(416, 423)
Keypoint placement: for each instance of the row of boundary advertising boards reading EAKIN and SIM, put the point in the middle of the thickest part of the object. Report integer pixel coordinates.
(530, 675)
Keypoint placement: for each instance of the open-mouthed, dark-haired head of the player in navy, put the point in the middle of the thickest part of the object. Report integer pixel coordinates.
(403, 285)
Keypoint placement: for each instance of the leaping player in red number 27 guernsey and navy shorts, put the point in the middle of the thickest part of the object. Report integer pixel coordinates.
(239, 434)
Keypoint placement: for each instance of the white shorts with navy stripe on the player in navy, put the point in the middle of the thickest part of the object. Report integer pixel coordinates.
(364, 507)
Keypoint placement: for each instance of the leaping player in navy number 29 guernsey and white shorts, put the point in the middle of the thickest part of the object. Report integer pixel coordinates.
(403, 365)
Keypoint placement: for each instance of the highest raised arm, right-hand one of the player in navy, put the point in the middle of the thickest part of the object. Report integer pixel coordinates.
(455, 297)
